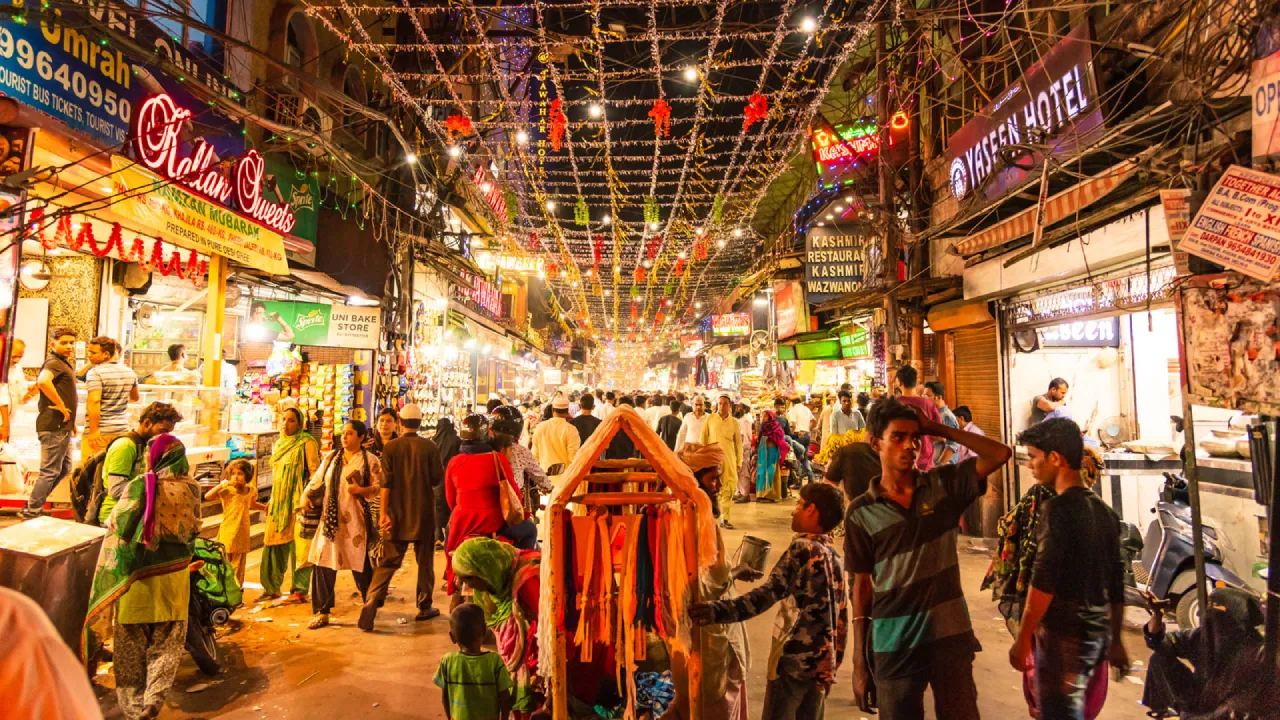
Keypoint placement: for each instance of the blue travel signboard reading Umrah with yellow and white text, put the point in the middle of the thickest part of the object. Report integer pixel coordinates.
(61, 67)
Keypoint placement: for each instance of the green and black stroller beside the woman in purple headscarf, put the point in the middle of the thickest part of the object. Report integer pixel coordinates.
(214, 595)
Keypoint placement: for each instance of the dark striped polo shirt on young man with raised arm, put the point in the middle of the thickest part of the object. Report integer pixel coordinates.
(918, 612)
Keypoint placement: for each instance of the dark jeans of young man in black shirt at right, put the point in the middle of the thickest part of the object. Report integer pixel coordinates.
(1063, 668)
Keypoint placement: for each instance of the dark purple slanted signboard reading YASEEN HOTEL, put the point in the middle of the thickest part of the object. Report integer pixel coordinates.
(1055, 103)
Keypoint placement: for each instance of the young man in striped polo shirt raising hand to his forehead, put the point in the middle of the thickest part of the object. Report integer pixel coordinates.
(900, 549)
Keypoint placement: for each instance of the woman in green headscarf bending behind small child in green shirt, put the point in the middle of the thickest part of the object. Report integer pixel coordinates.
(506, 585)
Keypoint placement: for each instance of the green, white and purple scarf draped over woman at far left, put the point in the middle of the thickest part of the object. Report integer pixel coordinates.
(136, 545)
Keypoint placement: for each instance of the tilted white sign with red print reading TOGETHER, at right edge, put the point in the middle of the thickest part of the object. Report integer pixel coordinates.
(1238, 226)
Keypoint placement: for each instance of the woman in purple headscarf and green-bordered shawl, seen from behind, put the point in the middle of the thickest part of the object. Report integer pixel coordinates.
(143, 571)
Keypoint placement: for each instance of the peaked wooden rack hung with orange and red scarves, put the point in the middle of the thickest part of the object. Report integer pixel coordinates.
(620, 494)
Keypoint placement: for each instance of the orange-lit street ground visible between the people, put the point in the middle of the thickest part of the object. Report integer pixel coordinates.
(277, 668)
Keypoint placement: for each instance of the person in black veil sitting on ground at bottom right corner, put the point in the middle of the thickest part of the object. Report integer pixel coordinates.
(1232, 677)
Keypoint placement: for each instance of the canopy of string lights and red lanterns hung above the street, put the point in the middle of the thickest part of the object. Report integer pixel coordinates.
(636, 138)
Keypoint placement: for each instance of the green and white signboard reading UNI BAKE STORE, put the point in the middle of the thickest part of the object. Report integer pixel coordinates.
(316, 323)
